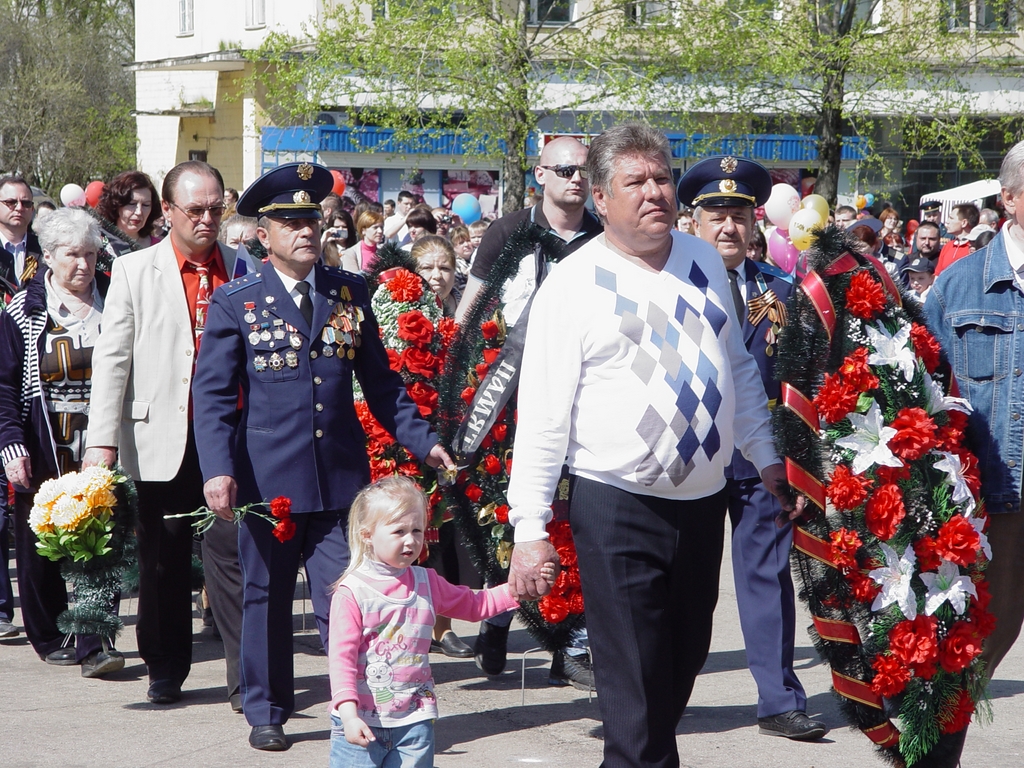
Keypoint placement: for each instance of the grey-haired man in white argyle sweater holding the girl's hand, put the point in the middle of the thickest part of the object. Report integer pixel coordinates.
(635, 370)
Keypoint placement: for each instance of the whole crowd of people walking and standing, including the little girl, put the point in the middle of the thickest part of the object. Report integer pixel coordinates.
(206, 343)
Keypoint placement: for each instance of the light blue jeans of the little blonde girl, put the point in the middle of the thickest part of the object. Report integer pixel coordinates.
(408, 747)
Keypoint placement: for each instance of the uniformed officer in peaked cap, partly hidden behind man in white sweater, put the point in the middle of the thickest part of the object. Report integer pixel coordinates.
(724, 191)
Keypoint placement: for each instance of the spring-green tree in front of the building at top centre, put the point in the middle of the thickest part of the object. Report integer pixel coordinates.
(493, 69)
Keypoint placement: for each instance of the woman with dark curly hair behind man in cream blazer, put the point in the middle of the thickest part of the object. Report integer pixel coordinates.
(129, 207)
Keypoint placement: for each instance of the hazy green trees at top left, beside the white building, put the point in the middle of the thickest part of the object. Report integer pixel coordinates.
(67, 100)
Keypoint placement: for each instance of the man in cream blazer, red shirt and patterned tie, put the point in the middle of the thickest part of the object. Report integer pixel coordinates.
(141, 414)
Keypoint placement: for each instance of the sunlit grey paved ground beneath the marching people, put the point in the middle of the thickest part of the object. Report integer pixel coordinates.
(51, 716)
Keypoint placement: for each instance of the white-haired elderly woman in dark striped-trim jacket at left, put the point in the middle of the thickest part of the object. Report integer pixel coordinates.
(47, 338)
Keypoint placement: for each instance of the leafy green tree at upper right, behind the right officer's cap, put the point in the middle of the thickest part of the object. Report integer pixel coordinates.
(906, 70)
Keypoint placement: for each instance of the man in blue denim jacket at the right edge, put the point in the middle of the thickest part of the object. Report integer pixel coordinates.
(976, 311)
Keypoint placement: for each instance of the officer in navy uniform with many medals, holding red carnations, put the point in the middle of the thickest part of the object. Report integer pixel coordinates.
(290, 338)
